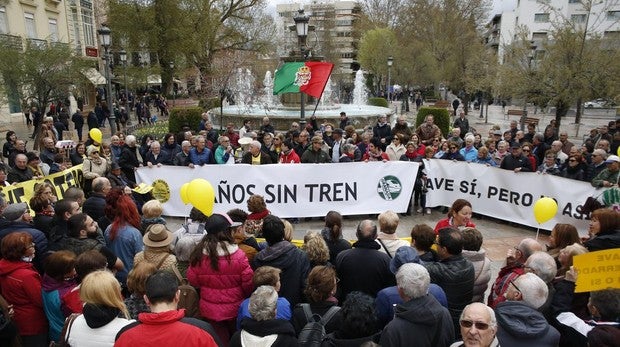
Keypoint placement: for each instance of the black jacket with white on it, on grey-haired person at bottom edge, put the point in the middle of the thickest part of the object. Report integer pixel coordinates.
(273, 332)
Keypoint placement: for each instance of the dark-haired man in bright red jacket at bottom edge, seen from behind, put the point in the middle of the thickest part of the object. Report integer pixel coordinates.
(165, 325)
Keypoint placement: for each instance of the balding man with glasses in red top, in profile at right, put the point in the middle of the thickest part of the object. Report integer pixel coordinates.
(514, 268)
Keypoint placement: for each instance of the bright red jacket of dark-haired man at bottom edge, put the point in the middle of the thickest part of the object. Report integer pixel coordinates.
(166, 328)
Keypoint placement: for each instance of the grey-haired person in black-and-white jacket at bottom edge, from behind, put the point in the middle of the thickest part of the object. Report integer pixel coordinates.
(262, 328)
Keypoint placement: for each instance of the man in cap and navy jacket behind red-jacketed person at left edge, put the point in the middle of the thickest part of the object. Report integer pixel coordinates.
(16, 217)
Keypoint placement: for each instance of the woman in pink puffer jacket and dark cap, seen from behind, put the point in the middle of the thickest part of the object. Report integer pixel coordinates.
(222, 273)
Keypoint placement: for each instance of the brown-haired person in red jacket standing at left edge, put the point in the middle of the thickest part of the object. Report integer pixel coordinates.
(21, 287)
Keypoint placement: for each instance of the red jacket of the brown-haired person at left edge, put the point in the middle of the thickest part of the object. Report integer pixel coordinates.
(21, 287)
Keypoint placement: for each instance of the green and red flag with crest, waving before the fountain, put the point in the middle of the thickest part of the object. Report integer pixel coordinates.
(306, 77)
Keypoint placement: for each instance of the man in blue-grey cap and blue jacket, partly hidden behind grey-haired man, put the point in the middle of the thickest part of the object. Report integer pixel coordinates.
(388, 297)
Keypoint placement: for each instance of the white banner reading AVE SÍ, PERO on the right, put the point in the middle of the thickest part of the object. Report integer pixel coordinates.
(505, 194)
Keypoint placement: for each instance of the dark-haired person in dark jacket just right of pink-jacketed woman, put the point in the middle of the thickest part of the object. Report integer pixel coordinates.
(285, 256)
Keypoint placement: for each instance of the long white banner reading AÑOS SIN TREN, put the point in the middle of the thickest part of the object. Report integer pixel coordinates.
(291, 190)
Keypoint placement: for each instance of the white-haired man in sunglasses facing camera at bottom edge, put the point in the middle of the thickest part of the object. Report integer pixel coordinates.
(478, 326)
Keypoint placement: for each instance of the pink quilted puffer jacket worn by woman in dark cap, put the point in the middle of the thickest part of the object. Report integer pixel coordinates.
(222, 290)
